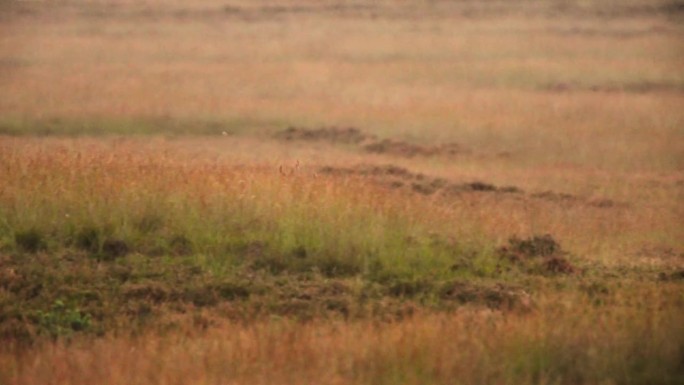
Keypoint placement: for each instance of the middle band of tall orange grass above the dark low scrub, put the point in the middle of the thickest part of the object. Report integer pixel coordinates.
(640, 223)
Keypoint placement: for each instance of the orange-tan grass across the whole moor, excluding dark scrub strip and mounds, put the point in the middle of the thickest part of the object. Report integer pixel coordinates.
(567, 100)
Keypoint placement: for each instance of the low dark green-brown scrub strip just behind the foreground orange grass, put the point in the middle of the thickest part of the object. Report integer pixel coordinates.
(92, 289)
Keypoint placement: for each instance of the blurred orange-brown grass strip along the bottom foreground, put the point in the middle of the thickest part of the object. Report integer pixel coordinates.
(637, 338)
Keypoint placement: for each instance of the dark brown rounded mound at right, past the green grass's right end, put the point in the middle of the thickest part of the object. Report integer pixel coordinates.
(540, 253)
